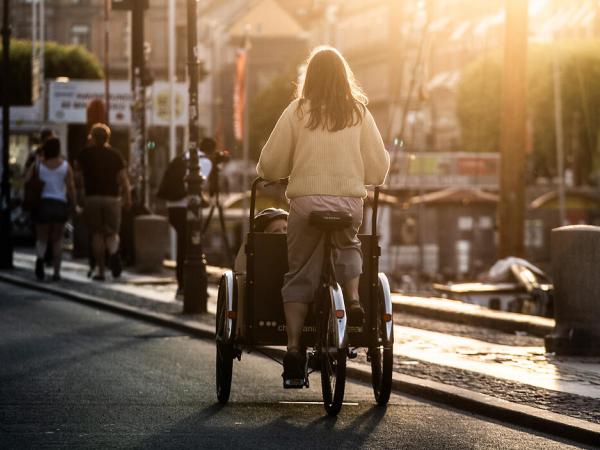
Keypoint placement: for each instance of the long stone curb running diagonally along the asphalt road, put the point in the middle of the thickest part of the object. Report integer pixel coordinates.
(522, 415)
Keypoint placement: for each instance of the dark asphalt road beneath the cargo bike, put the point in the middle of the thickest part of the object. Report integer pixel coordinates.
(75, 377)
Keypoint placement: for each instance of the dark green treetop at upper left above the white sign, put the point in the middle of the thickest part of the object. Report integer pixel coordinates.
(60, 61)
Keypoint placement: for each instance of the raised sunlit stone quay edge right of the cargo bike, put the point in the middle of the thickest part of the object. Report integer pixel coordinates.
(470, 314)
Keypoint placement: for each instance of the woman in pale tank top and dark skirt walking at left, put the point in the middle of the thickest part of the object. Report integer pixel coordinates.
(52, 213)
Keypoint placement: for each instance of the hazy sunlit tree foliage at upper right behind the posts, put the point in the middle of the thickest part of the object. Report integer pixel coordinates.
(479, 97)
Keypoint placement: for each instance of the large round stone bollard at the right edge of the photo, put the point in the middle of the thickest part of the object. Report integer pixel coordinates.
(575, 266)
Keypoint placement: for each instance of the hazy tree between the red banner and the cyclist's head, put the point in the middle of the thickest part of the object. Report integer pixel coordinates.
(265, 109)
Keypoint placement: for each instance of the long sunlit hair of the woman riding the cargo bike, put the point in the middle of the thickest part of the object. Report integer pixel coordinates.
(336, 101)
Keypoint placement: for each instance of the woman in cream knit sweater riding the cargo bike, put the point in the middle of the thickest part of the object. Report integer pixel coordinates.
(327, 143)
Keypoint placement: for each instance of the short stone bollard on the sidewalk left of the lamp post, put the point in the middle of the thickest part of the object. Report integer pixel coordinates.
(151, 242)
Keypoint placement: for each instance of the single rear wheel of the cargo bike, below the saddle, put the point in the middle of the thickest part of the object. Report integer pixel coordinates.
(333, 362)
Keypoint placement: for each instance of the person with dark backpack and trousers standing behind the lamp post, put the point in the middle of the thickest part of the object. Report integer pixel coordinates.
(173, 189)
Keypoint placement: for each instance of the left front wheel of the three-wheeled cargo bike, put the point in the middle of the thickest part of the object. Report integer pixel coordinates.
(224, 357)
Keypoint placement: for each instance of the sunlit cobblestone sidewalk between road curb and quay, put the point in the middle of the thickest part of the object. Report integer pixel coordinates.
(508, 366)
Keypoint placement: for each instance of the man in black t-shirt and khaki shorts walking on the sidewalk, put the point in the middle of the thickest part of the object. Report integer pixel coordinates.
(106, 189)
